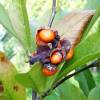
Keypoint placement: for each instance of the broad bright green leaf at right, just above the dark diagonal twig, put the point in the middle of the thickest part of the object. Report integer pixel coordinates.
(86, 51)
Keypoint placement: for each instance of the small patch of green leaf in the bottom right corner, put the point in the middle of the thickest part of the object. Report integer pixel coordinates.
(95, 93)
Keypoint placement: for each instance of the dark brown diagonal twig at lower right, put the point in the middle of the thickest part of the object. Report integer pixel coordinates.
(66, 78)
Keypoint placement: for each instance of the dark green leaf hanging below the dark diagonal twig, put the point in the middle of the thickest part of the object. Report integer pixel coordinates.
(86, 81)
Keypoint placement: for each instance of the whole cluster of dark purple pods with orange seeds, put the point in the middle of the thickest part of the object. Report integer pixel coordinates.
(51, 50)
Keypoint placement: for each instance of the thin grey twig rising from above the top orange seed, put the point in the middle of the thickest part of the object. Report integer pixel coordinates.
(53, 13)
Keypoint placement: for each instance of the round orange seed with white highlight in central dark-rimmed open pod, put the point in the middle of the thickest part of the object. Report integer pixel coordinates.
(56, 57)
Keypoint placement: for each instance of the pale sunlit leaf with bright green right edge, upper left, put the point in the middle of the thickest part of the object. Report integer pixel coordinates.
(19, 18)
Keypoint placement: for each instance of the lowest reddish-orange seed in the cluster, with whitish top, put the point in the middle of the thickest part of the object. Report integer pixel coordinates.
(49, 71)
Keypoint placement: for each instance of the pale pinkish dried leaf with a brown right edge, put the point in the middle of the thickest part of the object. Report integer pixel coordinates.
(73, 25)
